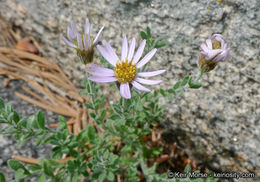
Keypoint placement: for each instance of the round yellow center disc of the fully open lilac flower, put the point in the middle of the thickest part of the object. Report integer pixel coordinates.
(125, 71)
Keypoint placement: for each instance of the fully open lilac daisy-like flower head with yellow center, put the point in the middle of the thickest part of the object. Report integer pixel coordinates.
(126, 69)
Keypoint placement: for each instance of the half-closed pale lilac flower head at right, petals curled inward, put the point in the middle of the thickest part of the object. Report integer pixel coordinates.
(213, 51)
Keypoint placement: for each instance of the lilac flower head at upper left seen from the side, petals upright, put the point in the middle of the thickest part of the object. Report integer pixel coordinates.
(83, 43)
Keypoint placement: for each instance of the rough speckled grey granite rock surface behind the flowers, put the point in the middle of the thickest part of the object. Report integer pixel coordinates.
(218, 124)
